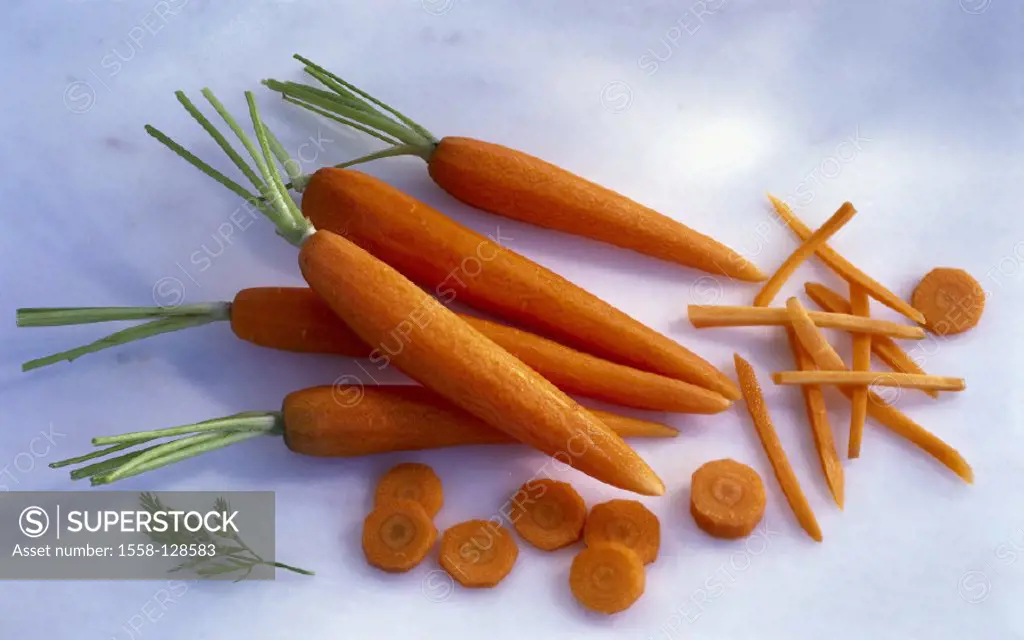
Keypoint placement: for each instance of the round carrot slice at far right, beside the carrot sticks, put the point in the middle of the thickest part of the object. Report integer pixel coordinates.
(951, 301)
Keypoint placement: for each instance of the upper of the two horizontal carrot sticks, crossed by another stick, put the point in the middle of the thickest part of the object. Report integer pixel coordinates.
(717, 316)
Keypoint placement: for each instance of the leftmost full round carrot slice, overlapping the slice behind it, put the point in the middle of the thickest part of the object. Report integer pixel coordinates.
(398, 536)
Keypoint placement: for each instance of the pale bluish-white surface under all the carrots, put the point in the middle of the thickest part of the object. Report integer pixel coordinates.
(745, 100)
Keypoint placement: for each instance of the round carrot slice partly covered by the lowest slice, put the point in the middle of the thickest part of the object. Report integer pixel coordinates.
(626, 523)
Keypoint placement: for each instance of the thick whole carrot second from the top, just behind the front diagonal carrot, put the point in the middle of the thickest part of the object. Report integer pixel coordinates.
(435, 251)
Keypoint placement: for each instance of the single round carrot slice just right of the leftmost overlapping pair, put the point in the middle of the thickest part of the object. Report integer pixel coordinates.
(479, 553)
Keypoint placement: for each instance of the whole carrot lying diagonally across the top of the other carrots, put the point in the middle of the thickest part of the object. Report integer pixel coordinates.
(439, 350)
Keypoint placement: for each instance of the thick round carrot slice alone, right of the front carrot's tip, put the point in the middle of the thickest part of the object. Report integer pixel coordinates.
(728, 499)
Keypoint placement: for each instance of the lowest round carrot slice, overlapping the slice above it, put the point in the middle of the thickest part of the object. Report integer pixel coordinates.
(608, 578)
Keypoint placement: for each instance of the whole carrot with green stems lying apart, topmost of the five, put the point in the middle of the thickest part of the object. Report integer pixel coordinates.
(516, 185)
